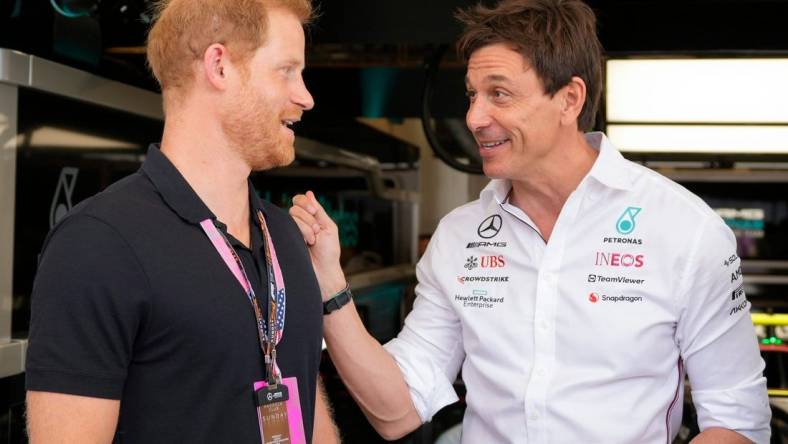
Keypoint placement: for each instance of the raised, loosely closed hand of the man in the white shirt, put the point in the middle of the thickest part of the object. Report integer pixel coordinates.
(322, 238)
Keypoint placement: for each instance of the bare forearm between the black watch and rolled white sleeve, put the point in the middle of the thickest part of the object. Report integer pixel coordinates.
(370, 374)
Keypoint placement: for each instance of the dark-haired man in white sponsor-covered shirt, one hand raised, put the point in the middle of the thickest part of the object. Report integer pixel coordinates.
(577, 292)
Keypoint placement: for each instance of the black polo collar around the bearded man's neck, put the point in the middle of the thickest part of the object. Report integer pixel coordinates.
(177, 192)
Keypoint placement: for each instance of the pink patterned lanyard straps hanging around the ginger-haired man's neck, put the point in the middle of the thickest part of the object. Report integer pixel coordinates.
(270, 332)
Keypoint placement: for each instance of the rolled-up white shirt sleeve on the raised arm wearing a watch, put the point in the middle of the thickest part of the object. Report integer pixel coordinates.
(429, 349)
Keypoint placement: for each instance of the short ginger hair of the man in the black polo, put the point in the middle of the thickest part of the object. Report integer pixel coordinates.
(183, 29)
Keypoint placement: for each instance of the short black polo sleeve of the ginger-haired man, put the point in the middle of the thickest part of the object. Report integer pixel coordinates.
(87, 304)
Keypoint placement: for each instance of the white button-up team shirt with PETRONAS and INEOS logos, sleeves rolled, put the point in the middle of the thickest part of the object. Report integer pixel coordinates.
(586, 338)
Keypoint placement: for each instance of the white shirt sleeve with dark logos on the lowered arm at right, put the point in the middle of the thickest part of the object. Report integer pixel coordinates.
(718, 342)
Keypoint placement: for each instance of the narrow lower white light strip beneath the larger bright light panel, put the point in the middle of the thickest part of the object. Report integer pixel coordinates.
(700, 139)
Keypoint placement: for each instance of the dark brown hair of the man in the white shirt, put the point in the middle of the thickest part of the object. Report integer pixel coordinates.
(557, 37)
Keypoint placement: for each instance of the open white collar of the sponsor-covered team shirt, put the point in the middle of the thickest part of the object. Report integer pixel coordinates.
(609, 169)
